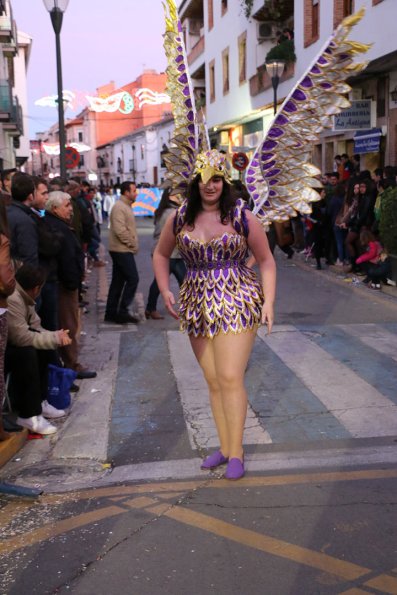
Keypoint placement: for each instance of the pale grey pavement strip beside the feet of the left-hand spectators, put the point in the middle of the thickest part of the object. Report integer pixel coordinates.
(82, 439)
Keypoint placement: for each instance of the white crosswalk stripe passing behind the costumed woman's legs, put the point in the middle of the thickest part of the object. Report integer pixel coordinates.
(194, 396)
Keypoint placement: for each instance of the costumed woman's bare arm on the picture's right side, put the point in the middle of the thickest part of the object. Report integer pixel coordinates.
(258, 244)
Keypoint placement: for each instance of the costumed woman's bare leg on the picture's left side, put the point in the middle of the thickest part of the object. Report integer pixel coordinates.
(203, 349)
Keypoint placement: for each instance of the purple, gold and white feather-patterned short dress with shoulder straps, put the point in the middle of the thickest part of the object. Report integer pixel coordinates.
(219, 293)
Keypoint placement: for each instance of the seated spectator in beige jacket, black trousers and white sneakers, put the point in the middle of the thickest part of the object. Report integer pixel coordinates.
(30, 348)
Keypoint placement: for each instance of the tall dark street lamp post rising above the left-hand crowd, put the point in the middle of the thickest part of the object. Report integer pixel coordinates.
(56, 8)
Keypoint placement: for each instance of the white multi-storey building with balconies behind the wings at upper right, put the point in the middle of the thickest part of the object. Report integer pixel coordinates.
(227, 53)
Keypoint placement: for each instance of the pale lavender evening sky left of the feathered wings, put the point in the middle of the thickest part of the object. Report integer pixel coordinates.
(101, 41)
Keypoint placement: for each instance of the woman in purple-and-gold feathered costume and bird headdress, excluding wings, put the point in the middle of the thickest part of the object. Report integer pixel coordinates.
(222, 302)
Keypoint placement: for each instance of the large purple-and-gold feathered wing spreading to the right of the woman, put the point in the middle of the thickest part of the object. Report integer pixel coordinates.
(280, 177)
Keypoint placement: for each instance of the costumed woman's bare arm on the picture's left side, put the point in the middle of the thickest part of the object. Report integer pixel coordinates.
(161, 264)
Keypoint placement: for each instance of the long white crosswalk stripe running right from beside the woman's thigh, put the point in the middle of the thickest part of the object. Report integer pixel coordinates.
(357, 405)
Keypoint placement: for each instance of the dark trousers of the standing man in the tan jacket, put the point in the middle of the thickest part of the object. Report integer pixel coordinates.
(124, 284)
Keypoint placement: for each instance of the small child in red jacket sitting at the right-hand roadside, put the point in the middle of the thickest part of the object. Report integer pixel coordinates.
(374, 261)
